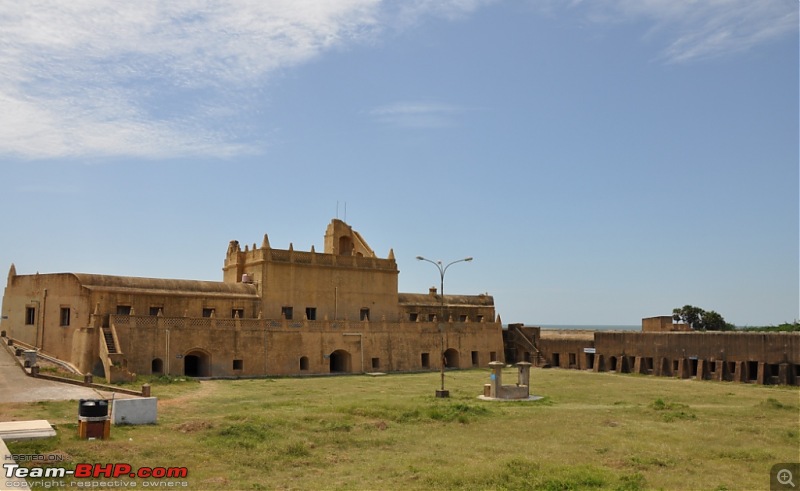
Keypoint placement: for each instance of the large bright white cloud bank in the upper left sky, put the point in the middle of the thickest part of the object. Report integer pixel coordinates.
(90, 77)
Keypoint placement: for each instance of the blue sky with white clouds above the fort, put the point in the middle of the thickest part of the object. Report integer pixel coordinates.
(602, 161)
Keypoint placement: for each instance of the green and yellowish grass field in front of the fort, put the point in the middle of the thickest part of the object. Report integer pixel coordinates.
(591, 431)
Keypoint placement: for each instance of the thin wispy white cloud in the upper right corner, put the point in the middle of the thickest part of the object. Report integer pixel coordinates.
(699, 29)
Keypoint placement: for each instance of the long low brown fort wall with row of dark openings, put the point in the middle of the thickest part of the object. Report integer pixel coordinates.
(664, 349)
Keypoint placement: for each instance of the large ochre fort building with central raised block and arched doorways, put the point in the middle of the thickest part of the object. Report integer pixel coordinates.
(275, 312)
